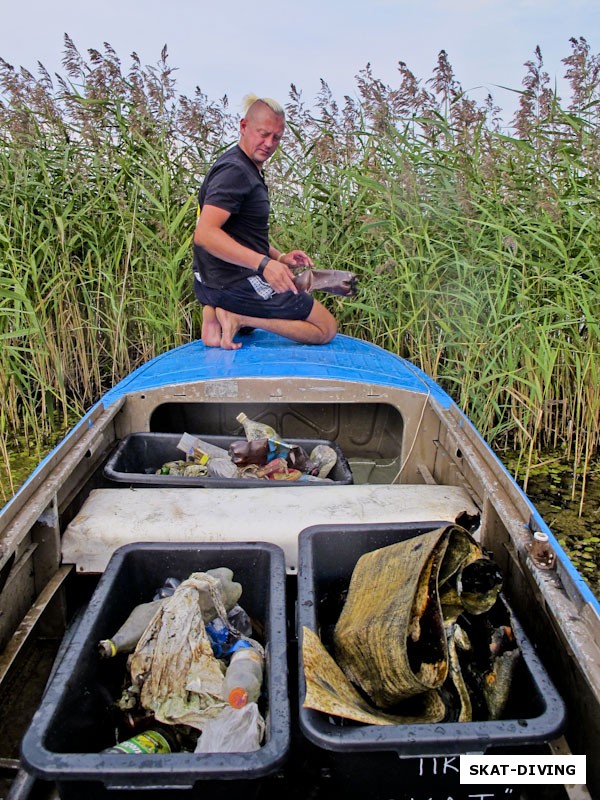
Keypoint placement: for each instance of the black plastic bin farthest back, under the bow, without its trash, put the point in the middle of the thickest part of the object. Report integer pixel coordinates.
(139, 455)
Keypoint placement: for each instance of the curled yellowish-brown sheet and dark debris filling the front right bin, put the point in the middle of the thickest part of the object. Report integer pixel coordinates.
(419, 636)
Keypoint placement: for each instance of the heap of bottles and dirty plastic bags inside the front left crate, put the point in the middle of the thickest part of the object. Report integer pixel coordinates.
(194, 671)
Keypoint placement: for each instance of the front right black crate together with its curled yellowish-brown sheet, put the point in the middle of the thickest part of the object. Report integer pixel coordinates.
(354, 699)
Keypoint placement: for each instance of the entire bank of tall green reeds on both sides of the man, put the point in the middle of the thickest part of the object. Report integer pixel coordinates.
(476, 248)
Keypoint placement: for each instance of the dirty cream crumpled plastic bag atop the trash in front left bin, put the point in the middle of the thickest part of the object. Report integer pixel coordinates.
(180, 678)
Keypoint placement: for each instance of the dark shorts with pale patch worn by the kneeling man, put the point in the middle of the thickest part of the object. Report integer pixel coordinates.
(253, 297)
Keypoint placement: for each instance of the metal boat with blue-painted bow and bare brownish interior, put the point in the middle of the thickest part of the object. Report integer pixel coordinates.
(414, 458)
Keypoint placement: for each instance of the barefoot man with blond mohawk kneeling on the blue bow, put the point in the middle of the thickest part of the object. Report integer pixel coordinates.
(239, 277)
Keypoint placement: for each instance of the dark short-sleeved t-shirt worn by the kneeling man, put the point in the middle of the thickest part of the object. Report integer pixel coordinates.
(234, 184)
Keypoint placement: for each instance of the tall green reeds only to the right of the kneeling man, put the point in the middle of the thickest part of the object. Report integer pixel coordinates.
(478, 253)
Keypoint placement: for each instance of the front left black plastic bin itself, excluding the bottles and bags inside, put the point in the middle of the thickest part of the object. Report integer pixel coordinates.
(73, 723)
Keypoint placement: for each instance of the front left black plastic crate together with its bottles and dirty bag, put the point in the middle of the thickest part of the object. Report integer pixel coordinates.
(74, 733)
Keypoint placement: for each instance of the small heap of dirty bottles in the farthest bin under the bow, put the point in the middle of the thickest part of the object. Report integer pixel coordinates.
(261, 455)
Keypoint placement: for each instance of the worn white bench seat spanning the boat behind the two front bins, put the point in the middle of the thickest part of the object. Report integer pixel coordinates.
(110, 518)
